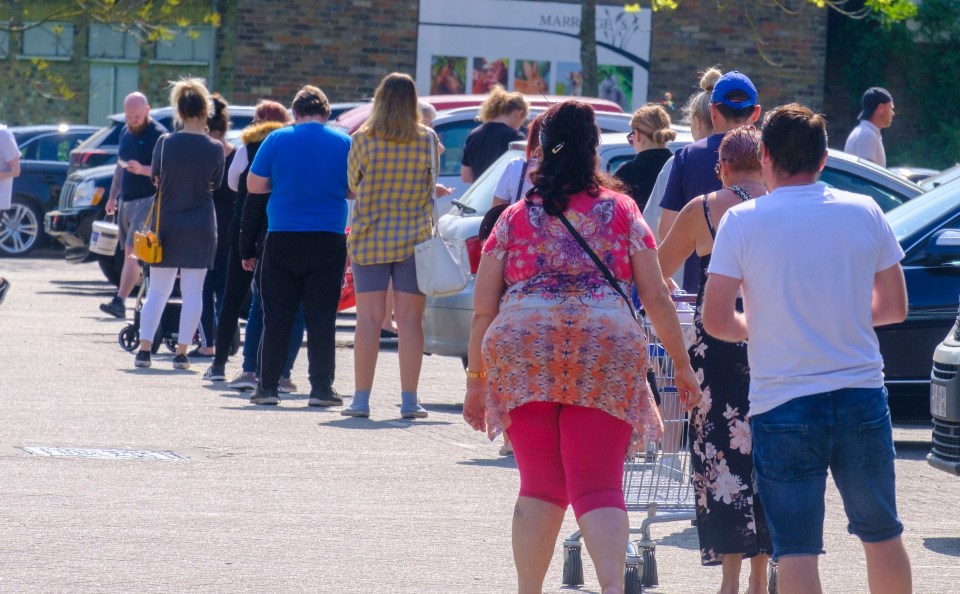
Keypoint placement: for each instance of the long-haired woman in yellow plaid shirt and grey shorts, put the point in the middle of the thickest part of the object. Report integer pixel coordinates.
(391, 172)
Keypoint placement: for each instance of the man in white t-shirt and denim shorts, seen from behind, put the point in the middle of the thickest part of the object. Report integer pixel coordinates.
(818, 269)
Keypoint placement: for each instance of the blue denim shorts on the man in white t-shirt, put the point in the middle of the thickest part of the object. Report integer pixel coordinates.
(847, 431)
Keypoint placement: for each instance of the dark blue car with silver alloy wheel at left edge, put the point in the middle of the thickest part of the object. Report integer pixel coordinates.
(44, 156)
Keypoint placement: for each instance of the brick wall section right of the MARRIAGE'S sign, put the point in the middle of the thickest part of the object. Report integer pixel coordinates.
(788, 65)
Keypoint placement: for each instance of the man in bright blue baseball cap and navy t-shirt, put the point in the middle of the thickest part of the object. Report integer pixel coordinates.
(733, 103)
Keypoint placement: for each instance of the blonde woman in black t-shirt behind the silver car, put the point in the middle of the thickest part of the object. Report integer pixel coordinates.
(502, 114)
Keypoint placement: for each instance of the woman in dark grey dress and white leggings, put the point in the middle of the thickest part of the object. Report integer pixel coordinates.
(187, 167)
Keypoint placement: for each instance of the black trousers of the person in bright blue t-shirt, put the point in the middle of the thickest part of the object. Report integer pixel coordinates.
(301, 267)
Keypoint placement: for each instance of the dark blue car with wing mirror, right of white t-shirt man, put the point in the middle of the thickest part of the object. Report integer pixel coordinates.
(928, 229)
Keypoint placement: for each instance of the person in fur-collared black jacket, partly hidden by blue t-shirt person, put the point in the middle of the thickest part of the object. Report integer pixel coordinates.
(268, 116)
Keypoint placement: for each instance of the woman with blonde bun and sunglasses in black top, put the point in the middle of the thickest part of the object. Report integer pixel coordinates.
(650, 132)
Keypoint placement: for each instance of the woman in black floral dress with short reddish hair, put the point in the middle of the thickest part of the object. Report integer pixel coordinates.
(730, 520)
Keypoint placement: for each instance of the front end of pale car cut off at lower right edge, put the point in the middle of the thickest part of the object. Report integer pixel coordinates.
(945, 400)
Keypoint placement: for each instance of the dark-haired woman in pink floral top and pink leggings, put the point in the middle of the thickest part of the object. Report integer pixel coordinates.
(556, 359)
